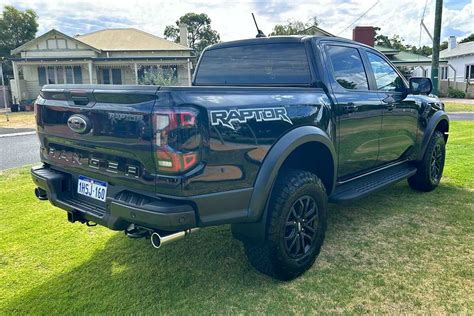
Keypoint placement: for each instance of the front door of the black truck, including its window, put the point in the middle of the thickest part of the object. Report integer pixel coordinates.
(400, 113)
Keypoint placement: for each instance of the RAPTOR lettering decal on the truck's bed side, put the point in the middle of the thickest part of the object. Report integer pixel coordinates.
(227, 117)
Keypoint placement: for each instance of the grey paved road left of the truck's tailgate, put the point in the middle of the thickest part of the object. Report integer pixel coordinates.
(17, 151)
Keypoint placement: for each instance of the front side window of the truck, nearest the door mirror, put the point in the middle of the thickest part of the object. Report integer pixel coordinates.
(386, 78)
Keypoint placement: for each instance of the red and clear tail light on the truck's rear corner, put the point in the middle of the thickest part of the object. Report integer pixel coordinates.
(177, 140)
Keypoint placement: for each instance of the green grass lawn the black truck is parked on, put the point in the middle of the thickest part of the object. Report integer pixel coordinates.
(397, 251)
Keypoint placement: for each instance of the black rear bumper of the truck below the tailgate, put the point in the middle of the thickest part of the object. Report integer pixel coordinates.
(119, 211)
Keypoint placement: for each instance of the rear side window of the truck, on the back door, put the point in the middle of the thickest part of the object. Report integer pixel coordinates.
(348, 67)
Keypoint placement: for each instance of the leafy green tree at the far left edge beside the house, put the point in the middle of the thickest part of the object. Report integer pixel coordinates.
(16, 28)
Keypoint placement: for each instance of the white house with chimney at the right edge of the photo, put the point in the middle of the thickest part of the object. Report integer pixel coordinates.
(458, 68)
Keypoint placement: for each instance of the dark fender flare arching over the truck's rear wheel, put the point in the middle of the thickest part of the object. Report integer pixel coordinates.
(254, 229)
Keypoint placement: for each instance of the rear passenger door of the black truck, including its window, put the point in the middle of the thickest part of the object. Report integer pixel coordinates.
(358, 110)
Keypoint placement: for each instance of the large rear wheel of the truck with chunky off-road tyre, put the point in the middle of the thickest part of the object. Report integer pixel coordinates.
(296, 226)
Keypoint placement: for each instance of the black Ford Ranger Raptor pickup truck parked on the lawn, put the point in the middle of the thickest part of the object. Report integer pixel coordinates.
(271, 130)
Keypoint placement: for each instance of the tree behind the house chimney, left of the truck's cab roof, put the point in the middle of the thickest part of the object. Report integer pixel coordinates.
(200, 33)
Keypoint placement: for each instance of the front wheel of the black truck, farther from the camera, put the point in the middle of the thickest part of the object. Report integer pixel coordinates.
(430, 169)
